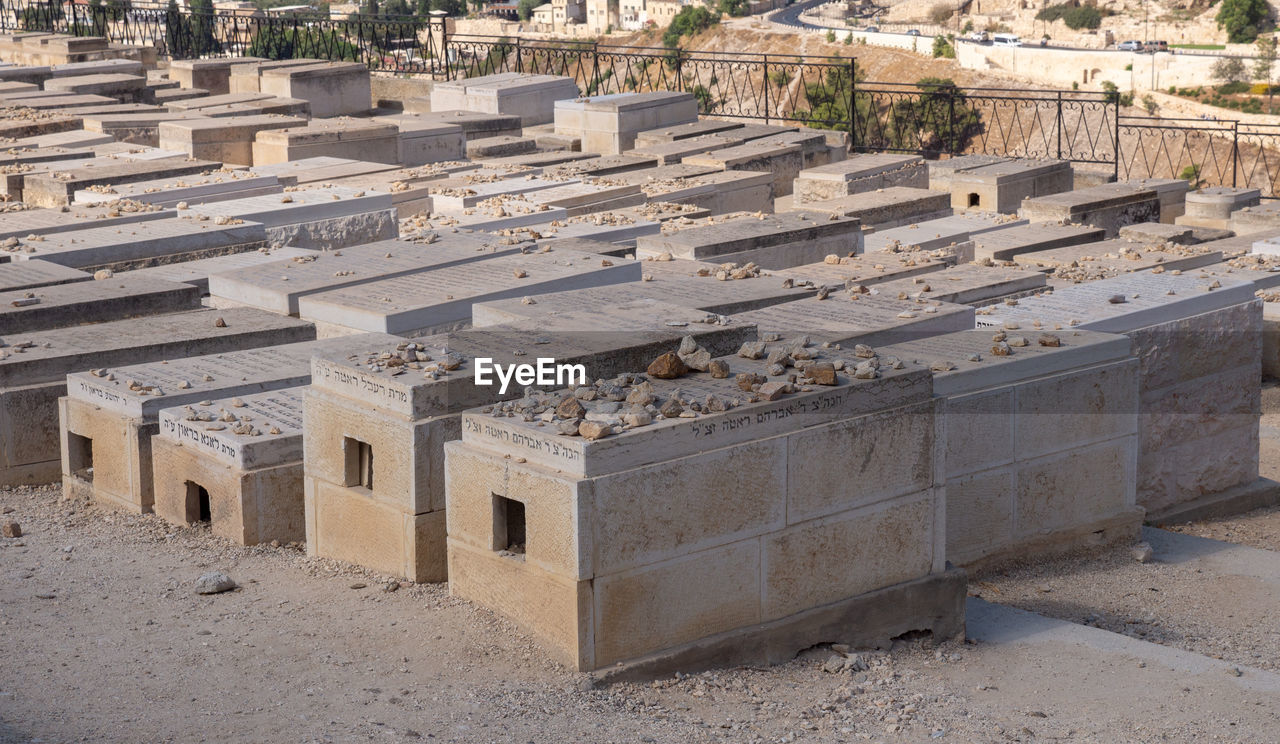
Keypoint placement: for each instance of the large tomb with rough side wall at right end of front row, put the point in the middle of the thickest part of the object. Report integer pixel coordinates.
(1200, 343)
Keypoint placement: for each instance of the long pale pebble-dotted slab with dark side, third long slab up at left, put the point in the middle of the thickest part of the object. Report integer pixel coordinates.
(141, 245)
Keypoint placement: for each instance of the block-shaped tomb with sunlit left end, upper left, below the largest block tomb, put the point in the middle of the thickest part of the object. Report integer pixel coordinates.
(364, 140)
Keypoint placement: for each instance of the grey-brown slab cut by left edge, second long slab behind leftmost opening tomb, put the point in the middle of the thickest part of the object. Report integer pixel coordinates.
(80, 303)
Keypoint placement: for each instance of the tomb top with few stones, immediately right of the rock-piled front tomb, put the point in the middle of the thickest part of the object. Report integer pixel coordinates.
(963, 362)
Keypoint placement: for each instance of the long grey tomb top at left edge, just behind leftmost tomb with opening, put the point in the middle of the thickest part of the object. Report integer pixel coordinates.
(53, 354)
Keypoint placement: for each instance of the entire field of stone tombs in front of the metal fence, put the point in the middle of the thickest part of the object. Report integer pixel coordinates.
(666, 391)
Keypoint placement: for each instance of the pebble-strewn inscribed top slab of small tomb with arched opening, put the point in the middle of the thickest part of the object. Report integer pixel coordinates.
(246, 432)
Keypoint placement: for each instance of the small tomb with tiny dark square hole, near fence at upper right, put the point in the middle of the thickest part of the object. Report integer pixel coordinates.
(1003, 186)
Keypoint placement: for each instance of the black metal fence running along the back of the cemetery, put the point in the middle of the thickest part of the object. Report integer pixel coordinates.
(930, 117)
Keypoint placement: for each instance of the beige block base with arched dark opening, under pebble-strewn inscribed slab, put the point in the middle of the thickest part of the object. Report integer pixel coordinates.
(253, 508)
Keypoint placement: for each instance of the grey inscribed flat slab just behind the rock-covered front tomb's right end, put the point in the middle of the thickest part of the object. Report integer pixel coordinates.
(840, 319)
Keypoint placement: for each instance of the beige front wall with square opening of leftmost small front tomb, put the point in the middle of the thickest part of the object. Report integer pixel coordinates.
(122, 457)
